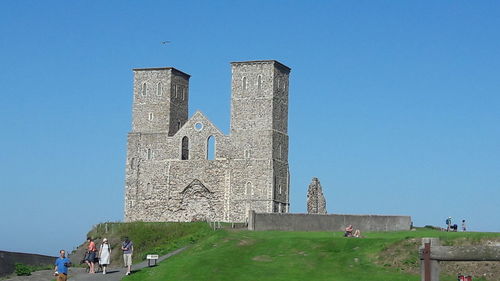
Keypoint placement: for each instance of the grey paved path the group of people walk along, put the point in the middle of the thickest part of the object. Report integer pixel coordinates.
(80, 274)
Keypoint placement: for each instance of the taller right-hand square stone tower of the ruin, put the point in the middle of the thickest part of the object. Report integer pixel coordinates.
(259, 123)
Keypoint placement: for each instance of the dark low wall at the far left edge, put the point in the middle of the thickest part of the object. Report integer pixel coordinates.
(9, 259)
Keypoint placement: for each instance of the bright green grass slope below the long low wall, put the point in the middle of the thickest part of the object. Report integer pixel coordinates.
(272, 255)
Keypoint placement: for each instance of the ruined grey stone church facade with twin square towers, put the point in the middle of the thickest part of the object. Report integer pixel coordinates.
(186, 169)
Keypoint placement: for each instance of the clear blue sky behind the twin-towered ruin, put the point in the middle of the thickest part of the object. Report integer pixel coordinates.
(394, 105)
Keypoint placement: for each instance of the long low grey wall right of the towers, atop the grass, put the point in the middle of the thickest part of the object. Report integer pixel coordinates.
(332, 222)
